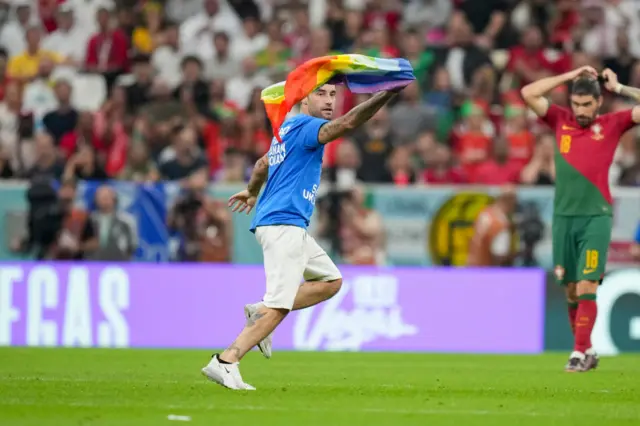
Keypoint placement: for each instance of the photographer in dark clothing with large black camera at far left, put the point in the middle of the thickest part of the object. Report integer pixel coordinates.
(55, 229)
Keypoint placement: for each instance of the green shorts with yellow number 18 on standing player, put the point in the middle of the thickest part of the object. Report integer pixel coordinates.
(580, 247)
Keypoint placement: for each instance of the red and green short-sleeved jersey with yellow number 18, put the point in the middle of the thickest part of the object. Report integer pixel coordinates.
(583, 158)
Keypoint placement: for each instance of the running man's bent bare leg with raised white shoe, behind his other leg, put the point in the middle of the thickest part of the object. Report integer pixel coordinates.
(310, 293)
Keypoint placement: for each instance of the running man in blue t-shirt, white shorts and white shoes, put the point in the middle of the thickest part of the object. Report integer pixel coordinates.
(292, 172)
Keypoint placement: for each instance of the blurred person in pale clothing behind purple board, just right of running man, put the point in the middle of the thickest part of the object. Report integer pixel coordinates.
(361, 231)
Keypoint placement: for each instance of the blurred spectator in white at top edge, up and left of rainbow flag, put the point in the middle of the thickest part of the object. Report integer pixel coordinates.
(197, 32)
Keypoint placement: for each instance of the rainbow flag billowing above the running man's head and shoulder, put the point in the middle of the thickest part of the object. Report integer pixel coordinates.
(361, 74)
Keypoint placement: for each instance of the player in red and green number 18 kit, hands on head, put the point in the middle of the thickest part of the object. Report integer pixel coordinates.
(582, 222)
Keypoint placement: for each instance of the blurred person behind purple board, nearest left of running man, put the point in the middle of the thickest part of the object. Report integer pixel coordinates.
(203, 224)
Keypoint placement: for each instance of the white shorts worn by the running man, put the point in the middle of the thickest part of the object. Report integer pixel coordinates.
(291, 254)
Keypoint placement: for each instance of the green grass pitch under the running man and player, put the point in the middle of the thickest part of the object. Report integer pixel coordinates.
(143, 387)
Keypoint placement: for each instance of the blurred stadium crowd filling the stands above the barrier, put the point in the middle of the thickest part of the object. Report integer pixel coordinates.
(135, 90)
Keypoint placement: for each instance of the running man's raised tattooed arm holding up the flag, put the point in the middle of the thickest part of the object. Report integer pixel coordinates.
(353, 119)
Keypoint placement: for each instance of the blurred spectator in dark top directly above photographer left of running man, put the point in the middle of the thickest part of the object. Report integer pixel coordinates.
(183, 158)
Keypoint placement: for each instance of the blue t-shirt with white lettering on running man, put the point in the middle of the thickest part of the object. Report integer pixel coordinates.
(295, 165)
